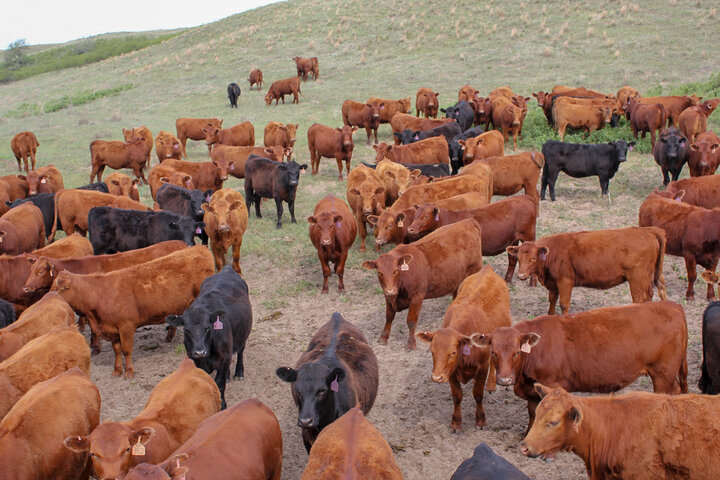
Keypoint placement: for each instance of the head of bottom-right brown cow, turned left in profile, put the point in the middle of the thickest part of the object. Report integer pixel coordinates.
(558, 419)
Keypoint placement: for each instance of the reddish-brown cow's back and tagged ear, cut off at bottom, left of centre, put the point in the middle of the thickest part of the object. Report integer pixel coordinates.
(244, 438)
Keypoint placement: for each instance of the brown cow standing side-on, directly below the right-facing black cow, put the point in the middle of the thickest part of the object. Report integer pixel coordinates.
(597, 259)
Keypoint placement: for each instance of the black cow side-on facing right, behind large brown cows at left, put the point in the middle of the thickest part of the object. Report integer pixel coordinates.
(114, 230)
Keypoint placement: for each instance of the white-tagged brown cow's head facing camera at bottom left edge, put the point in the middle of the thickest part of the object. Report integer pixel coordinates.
(110, 448)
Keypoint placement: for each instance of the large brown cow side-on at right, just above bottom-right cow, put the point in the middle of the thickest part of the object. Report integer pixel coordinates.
(600, 350)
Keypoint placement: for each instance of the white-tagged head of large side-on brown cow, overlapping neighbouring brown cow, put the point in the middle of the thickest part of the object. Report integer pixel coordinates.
(509, 349)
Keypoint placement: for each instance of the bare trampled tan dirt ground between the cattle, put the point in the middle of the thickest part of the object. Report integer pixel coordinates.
(411, 411)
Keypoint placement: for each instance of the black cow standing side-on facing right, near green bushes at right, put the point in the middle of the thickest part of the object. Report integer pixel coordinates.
(582, 160)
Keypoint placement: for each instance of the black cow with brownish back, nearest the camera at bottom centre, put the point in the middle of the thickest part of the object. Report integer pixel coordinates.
(337, 371)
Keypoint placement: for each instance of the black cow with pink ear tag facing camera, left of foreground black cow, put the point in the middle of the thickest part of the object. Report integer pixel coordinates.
(217, 324)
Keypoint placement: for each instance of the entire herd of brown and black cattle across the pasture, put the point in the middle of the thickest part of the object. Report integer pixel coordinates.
(430, 193)
